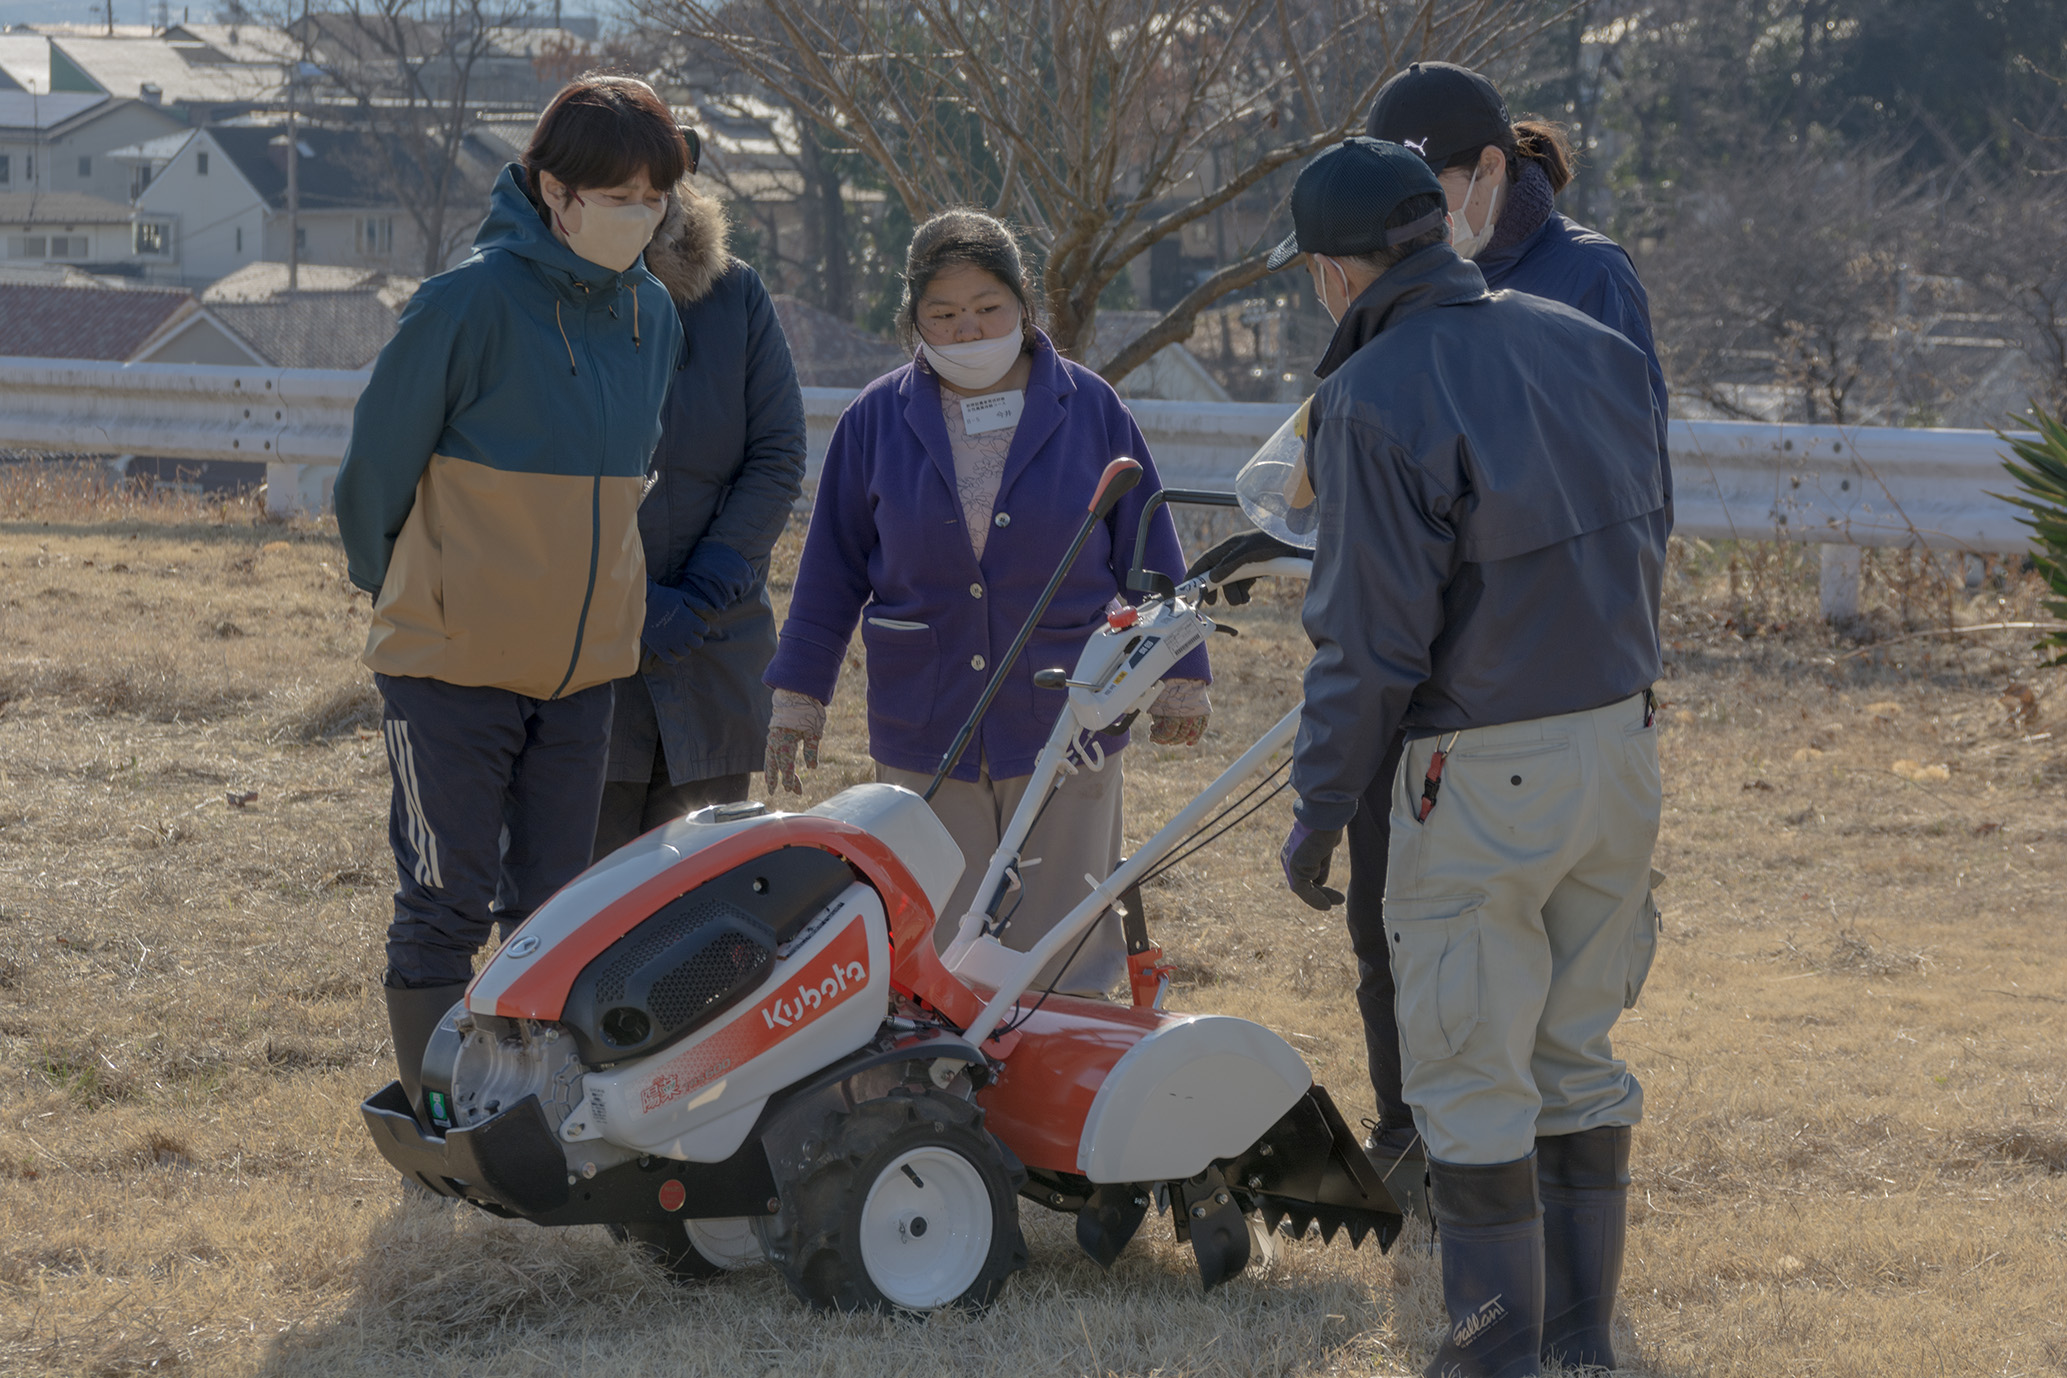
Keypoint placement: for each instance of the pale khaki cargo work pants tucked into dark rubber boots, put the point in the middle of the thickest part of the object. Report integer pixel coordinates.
(1522, 927)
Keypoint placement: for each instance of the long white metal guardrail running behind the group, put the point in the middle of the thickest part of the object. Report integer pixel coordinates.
(1841, 487)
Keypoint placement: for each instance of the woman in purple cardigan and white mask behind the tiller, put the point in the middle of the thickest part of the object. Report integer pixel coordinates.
(950, 495)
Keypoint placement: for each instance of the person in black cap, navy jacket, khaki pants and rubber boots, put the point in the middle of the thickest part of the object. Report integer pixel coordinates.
(1493, 513)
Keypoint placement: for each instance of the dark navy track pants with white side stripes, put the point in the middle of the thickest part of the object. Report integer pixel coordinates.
(493, 811)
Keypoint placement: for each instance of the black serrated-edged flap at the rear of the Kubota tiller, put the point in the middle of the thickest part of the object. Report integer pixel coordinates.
(1309, 1170)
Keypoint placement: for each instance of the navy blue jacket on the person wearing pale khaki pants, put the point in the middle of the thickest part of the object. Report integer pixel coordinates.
(1493, 522)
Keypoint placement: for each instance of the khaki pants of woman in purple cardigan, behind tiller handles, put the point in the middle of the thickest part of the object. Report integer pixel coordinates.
(1078, 834)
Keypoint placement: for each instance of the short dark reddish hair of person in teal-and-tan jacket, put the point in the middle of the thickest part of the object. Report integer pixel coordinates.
(600, 131)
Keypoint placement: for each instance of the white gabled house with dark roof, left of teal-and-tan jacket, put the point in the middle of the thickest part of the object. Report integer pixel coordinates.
(224, 195)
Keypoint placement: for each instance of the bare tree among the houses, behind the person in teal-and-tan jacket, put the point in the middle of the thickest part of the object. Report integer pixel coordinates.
(414, 71)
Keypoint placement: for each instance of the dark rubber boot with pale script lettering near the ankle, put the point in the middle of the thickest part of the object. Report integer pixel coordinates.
(1493, 1267)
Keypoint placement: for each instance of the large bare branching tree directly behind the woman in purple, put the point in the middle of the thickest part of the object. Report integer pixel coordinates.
(1101, 127)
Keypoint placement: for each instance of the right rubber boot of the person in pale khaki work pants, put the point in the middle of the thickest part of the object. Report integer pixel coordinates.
(1584, 1183)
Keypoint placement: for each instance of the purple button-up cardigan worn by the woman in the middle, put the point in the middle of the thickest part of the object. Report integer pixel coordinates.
(888, 540)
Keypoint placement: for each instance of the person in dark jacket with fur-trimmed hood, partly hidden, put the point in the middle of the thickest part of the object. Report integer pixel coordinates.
(731, 466)
